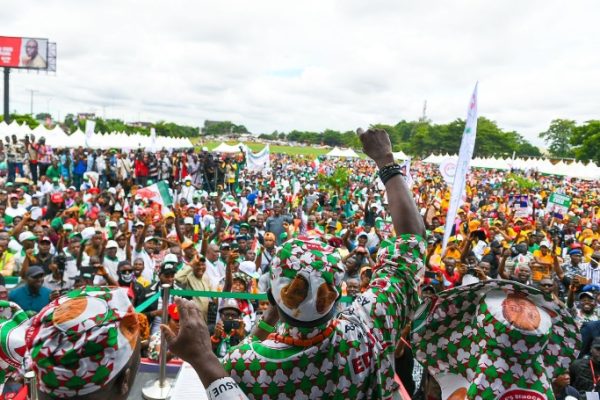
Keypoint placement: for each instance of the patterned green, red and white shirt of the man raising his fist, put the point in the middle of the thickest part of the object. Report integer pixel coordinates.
(356, 361)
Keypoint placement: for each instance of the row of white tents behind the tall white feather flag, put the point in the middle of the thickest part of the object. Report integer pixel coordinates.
(576, 169)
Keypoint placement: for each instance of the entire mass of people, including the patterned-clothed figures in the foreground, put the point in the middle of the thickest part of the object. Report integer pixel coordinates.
(360, 287)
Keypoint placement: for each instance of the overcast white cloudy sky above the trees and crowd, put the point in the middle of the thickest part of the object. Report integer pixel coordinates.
(280, 65)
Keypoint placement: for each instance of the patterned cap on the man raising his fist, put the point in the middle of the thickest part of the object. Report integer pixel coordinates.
(306, 277)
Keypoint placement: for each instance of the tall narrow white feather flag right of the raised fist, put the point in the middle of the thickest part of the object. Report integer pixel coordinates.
(467, 145)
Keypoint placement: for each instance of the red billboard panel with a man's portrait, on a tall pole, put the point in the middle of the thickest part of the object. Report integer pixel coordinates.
(22, 52)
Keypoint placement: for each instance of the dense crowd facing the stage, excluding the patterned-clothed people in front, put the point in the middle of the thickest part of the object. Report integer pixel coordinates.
(77, 218)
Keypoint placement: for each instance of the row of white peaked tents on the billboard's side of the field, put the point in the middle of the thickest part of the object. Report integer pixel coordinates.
(56, 137)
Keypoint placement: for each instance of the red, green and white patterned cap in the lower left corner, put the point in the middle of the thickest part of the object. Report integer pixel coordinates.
(81, 341)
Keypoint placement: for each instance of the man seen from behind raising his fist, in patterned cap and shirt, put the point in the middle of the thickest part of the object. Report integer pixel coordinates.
(313, 353)
